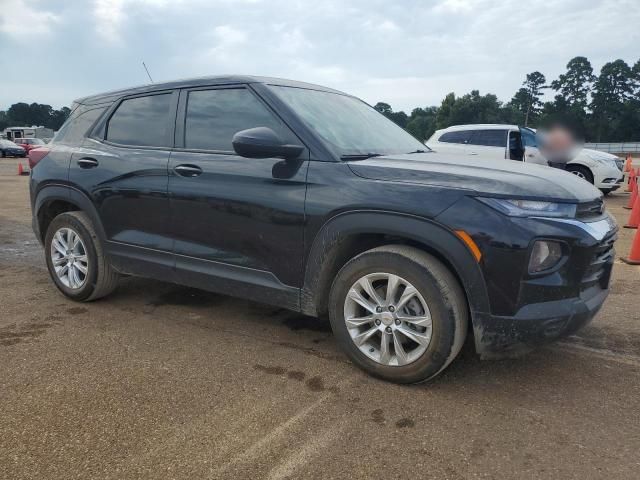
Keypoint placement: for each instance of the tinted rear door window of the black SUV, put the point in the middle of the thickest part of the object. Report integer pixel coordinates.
(141, 121)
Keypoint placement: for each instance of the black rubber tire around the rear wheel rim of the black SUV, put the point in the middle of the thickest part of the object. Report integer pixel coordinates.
(101, 278)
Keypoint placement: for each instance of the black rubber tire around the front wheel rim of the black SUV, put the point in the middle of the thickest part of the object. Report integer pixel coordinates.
(439, 287)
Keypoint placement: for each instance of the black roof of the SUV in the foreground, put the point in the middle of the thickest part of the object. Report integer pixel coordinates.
(196, 82)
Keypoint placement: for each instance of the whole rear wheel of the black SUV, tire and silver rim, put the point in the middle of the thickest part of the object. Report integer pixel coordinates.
(76, 260)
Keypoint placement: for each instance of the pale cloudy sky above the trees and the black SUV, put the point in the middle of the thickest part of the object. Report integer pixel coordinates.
(408, 53)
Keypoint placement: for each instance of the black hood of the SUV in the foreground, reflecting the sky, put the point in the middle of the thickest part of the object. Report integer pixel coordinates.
(501, 178)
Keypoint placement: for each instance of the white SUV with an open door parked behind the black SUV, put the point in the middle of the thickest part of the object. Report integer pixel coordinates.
(511, 142)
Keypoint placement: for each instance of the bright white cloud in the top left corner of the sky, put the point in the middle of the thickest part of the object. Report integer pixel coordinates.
(12, 16)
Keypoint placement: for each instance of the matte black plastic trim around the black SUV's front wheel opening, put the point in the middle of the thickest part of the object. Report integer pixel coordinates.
(434, 236)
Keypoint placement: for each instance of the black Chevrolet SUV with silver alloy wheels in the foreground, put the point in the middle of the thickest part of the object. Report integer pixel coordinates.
(303, 197)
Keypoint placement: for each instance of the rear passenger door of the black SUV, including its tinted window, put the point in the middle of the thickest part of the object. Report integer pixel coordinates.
(123, 169)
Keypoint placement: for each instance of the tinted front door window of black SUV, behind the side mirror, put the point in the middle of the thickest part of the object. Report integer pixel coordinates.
(214, 116)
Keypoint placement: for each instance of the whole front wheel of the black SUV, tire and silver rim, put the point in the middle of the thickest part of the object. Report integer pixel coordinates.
(398, 313)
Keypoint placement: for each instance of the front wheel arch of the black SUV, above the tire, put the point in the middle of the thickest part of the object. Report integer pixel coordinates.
(349, 234)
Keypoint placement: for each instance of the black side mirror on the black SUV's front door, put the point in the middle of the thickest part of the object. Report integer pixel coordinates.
(262, 142)
